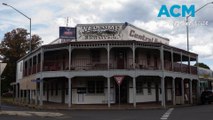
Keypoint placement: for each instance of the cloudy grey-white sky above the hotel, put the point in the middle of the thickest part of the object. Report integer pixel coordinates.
(48, 15)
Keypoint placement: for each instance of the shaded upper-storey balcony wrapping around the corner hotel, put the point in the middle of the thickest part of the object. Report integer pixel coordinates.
(86, 59)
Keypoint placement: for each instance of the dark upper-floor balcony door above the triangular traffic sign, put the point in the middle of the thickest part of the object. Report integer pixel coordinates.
(120, 59)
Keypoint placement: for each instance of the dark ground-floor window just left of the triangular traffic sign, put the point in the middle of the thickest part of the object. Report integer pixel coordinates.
(95, 86)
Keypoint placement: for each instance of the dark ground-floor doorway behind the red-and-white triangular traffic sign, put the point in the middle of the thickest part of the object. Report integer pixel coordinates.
(123, 91)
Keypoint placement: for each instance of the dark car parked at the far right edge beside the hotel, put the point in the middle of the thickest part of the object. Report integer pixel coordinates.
(207, 97)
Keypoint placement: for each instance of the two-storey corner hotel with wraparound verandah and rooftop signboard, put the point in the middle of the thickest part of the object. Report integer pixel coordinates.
(87, 70)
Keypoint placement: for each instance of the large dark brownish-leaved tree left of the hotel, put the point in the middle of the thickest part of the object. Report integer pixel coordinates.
(15, 45)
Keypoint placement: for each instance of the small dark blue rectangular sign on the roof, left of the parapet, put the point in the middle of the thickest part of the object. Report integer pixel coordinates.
(67, 33)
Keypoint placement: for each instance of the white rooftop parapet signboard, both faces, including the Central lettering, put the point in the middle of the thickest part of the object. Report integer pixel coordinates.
(116, 31)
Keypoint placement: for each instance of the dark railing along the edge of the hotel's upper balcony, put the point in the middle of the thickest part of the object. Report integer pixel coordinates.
(54, 66)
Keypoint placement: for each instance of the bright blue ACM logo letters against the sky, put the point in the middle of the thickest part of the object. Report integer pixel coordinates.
(177, 11)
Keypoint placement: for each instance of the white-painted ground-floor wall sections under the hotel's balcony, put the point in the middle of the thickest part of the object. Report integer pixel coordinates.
(87, 98)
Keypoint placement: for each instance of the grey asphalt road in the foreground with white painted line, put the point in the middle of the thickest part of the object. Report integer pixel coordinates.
(202, 112)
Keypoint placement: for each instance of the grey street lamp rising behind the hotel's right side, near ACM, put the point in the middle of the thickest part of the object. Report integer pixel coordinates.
(187, 24)
